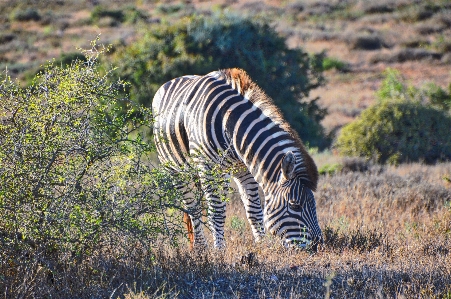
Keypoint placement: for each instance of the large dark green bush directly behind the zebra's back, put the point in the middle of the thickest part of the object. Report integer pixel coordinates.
(199, 45)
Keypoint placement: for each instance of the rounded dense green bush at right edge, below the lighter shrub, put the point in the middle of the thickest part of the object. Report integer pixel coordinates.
(398, 131)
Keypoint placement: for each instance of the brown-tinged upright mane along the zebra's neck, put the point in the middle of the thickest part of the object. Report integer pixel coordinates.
(241, 81)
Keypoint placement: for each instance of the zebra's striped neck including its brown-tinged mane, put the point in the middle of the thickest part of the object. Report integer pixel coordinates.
(254, 127)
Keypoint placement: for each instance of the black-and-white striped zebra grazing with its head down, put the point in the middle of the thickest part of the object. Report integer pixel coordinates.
(198, 117)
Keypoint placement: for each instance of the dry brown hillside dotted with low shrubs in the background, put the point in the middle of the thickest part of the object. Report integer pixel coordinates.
(361, 38)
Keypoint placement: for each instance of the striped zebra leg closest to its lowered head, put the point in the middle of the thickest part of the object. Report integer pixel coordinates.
(248, 188)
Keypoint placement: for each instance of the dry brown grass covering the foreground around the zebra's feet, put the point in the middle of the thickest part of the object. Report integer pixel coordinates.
(387, 235)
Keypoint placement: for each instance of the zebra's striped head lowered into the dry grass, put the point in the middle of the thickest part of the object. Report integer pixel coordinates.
(290, 210)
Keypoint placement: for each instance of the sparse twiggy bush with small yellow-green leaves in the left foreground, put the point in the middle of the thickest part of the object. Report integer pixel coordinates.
(74, 175)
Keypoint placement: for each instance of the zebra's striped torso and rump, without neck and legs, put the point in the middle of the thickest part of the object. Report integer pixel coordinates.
(186, 118)
